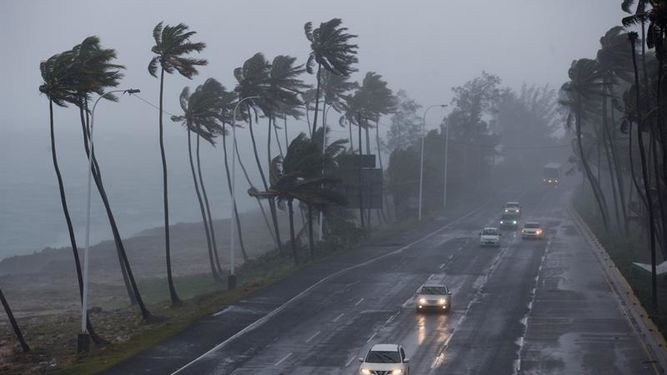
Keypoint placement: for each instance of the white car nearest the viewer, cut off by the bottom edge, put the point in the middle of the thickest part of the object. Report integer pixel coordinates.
(385, 359)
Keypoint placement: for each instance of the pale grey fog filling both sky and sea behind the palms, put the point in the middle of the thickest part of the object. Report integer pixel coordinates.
(423, 47)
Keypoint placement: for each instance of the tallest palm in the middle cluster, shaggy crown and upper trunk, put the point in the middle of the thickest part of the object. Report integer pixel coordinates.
(331, 49)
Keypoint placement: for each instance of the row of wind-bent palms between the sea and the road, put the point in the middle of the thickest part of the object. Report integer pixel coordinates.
(271, 91)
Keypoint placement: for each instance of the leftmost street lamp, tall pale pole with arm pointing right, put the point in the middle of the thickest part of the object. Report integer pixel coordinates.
(84, 337)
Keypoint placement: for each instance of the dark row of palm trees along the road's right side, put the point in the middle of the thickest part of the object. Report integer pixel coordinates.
(616, 105)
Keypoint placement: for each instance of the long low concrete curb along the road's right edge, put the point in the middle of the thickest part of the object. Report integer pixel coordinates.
(653, 341)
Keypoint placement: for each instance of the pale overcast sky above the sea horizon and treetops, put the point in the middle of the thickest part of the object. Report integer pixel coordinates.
(422, 46)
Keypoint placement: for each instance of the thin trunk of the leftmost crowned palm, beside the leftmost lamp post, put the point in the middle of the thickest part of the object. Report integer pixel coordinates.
(70, 227)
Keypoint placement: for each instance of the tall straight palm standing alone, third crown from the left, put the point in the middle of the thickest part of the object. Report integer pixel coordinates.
(172, 44)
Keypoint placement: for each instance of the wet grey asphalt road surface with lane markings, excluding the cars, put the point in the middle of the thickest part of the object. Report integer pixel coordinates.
(528, 307)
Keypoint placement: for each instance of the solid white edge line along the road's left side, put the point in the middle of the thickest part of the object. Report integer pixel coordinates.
(259, 322)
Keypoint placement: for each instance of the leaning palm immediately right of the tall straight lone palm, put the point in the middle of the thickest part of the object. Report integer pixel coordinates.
(198, 109)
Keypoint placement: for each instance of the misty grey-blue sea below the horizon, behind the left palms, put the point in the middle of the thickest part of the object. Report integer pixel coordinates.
(31, 216)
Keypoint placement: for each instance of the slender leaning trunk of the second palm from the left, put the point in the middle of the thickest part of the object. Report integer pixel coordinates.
(97, 176)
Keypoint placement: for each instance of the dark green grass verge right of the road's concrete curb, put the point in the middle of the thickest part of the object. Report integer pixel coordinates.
(624, 250)
